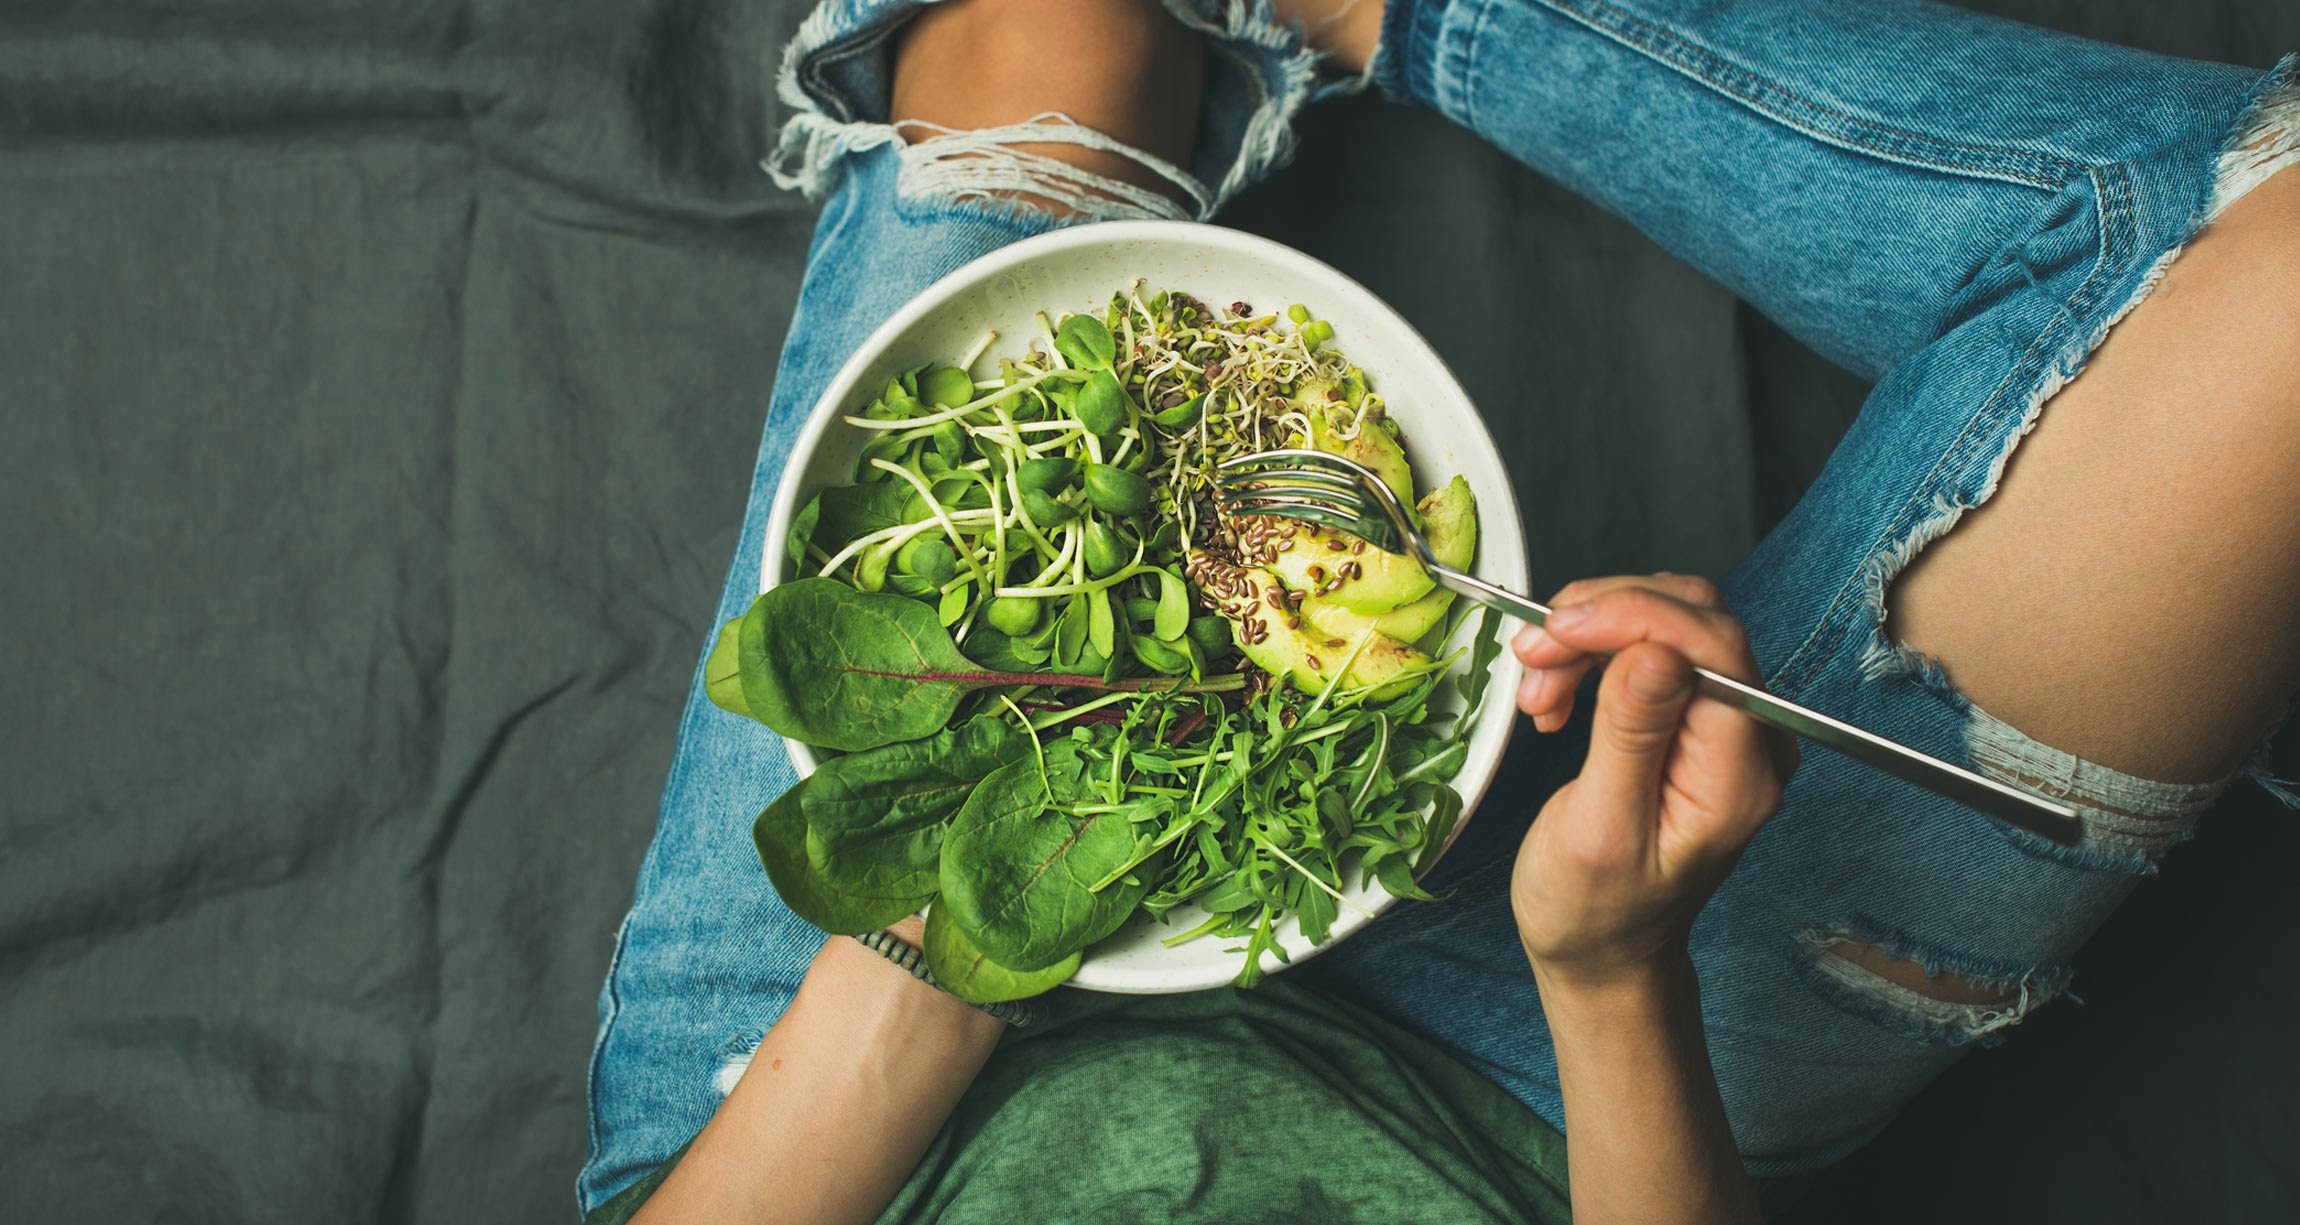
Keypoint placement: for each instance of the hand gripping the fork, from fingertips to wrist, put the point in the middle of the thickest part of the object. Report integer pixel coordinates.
(1673, 789)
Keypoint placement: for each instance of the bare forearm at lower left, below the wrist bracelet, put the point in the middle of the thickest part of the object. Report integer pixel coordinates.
(838, 1104)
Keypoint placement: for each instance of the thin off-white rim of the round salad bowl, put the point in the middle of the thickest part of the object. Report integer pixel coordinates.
(1220, 240)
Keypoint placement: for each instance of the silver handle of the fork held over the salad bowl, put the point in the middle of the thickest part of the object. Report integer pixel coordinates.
(1981, 794)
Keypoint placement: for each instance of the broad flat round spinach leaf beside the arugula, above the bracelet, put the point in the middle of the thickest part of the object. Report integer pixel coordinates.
(1020, 875)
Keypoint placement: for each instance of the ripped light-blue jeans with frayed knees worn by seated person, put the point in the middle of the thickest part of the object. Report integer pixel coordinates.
(1952, 206)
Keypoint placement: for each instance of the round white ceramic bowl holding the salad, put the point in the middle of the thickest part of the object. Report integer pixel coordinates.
(1078, 270)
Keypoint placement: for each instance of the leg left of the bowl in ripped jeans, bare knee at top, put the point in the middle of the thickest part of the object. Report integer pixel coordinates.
(707, 955)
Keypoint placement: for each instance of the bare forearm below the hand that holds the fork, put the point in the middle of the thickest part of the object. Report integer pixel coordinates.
(1646, 1125)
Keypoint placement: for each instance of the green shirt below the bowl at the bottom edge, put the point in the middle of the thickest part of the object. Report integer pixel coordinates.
(1275, 1107)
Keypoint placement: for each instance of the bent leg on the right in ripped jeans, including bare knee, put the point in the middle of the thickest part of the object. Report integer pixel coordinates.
(1823, 164)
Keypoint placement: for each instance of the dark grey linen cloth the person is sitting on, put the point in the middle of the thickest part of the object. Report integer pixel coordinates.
(378, 392)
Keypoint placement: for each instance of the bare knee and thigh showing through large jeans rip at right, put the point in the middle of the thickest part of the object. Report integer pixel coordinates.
(2129, 592)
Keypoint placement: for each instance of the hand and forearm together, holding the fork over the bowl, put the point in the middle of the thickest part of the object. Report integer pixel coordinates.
(1611, 877)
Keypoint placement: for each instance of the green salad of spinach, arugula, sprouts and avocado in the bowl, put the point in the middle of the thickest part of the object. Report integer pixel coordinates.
(1052, 693)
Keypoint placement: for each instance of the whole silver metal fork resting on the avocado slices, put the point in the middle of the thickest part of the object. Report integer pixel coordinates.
(1321, 488)
